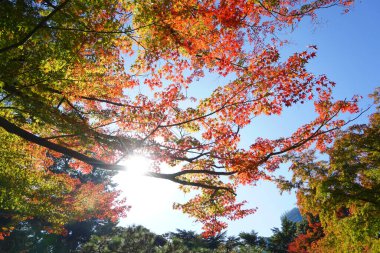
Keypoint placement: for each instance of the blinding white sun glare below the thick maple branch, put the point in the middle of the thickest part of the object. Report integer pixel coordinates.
(150, 197)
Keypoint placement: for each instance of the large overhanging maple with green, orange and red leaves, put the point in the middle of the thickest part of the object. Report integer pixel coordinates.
(72, 73)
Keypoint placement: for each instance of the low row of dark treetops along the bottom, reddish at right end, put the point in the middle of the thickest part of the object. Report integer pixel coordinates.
(106, 237)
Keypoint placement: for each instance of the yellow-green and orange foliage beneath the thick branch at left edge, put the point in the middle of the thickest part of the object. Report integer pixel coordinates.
(29, 190)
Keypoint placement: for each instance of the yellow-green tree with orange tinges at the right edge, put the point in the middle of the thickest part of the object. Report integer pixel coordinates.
(343, 191)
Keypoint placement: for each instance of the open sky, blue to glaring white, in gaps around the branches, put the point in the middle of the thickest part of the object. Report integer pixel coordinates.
(348, 53)
